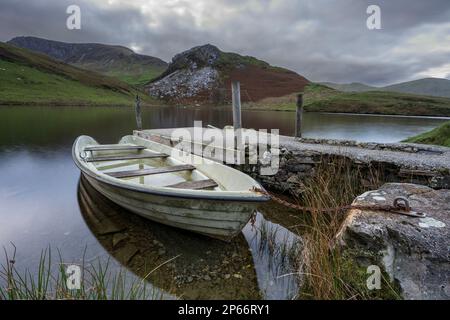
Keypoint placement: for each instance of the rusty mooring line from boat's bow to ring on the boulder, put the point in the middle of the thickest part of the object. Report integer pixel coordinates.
(399, 206)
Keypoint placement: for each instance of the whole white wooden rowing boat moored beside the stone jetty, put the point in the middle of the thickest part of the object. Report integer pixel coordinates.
(169, 186)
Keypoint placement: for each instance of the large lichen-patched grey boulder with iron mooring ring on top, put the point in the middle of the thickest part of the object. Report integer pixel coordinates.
(414, 252)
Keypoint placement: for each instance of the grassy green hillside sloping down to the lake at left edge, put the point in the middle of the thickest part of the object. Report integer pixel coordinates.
(28, 77)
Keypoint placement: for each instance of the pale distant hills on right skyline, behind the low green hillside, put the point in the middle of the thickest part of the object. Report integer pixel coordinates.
(428, 86)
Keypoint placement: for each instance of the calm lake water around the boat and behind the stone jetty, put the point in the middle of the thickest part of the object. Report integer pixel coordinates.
(43, 203)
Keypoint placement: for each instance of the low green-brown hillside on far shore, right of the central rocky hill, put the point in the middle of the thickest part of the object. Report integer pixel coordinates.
(320, 98)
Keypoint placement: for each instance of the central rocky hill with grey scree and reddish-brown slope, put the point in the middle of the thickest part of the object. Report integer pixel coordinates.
(203, 74)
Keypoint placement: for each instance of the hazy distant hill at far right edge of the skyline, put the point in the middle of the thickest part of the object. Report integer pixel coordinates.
(428, 86)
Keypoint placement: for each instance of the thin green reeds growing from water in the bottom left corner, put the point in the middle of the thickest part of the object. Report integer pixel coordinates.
(50, 281)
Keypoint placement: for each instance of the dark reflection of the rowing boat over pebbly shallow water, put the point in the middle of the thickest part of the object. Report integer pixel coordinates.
(185, 264)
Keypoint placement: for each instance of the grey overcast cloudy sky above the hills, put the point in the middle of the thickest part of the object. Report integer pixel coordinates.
(324, 40)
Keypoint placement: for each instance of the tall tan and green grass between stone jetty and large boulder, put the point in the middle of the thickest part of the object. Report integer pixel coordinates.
(326, 272)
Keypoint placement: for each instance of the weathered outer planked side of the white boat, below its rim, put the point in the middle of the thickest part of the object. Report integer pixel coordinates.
(219, 219)
